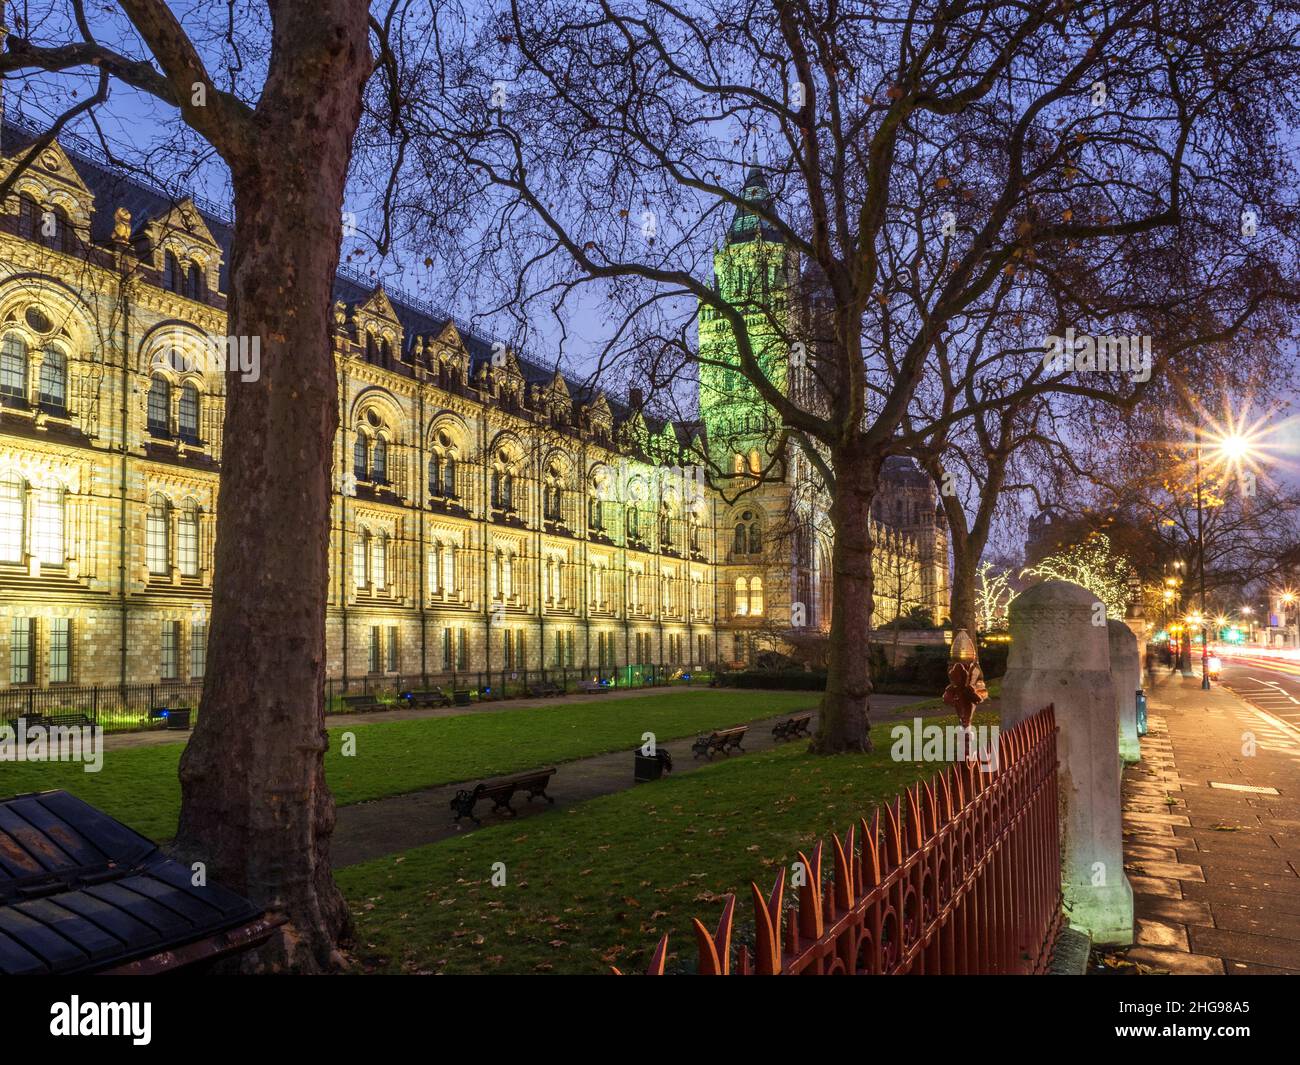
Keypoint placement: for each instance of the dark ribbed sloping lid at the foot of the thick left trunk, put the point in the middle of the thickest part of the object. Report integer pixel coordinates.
(81, 893)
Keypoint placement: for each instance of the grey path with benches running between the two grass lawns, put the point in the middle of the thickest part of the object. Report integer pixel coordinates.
(387, 826)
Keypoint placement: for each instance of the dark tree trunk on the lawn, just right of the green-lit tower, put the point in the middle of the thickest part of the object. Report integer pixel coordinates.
(843, 724)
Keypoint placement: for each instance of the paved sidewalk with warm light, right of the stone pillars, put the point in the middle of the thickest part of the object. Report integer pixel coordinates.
(1212, 835)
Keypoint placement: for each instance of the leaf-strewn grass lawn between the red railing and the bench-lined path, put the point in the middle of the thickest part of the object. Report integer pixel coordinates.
(599, 884)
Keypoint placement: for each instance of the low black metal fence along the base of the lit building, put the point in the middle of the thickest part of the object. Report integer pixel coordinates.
(132, 708)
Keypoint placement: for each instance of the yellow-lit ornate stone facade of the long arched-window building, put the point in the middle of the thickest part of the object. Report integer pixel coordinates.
(487, 517)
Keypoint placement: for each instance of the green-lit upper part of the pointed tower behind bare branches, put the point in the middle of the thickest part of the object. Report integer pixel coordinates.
(756, 272)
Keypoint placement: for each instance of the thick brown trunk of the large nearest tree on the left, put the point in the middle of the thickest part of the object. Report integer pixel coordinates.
(255, 807)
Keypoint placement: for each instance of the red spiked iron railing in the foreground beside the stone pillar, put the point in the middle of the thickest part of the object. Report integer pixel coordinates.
(957, 876)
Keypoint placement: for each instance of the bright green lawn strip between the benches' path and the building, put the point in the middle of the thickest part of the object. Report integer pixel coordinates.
(140, 786)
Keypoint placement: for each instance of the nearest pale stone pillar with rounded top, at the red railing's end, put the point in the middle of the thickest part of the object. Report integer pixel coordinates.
(1061, 655)
